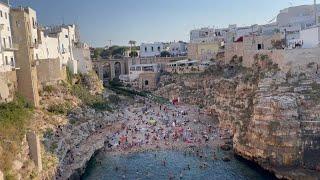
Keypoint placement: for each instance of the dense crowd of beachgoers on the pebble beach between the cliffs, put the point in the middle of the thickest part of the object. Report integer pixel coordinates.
(148, 125)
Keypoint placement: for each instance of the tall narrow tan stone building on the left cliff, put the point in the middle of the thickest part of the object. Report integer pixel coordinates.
(25, 34)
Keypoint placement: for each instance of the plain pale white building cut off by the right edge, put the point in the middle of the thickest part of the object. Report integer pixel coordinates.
(310, 37)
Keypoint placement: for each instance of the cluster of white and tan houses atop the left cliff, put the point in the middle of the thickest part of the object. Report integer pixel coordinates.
(34, 56)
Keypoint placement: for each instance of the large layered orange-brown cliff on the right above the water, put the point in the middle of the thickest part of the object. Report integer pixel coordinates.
(275, 119)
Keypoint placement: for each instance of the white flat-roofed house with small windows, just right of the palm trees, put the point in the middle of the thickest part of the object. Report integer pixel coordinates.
(151, 49)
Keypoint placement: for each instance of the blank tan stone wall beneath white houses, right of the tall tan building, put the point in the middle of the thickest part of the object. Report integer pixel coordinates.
(48, 71)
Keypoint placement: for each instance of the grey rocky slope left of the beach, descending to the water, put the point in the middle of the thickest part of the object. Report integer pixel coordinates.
(75, 144)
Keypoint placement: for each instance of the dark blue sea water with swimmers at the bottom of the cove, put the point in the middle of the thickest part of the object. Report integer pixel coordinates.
(149, 165)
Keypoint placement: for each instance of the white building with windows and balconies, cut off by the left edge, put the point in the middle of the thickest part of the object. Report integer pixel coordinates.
(7, 60)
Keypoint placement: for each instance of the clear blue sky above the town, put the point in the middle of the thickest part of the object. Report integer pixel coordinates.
(152, 20)
